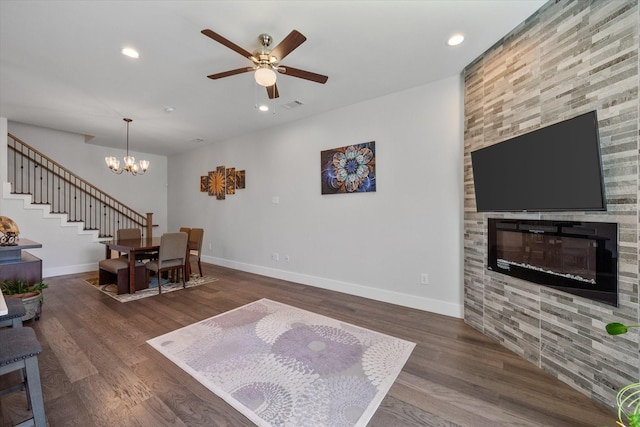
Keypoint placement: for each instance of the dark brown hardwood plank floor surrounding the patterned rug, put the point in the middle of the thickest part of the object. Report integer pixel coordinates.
(97, 369)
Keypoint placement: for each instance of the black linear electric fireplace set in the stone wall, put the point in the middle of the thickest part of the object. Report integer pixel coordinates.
(580, 258)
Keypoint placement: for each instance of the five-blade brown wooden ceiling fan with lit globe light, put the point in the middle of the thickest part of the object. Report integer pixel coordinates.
(266, 61)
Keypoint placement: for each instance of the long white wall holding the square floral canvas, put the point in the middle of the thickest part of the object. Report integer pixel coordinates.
(372, 244)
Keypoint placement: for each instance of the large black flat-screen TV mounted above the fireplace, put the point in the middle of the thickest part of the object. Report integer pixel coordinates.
(555, 168)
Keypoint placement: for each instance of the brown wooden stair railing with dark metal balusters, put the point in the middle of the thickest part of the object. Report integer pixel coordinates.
(49, 183)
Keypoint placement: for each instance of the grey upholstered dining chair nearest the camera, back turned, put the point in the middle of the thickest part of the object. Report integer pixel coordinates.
(171, 256)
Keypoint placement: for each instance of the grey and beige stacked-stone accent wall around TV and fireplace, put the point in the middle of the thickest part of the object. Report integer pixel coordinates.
(570, 57)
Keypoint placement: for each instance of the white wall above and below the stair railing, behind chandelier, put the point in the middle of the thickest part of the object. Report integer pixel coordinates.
(66, 248)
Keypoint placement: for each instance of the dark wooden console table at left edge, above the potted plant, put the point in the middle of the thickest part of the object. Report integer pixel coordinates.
(17, 264)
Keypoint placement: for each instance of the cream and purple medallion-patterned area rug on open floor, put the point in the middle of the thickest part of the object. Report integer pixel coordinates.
(282, 366)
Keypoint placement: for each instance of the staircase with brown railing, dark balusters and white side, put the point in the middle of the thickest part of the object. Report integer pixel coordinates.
(57, 208)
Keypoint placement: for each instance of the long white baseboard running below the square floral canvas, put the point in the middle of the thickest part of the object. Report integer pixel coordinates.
(405, 300)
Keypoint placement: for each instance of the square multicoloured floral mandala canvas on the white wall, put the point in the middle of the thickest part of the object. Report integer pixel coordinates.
(349, 169)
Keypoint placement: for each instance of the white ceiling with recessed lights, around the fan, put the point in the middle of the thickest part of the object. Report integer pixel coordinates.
(61, 66)
